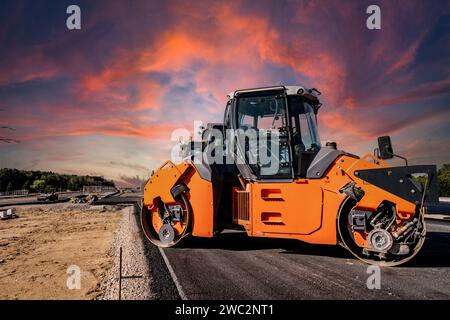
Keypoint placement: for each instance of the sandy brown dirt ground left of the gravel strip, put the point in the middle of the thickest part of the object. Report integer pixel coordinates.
(37, 248)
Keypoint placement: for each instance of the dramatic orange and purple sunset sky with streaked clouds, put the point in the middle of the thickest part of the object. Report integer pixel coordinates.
(105, 99)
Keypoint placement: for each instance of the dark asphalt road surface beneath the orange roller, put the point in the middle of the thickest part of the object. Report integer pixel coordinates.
(234, 266)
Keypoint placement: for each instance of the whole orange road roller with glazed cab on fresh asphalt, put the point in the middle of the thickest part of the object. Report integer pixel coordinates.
(264, 171)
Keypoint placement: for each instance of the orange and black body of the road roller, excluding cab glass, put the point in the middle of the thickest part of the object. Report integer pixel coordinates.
(337, 197)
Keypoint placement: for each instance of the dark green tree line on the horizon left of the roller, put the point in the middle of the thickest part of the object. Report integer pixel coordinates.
(44, 181)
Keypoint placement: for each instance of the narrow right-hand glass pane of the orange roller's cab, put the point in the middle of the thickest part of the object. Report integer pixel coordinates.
(304, 127)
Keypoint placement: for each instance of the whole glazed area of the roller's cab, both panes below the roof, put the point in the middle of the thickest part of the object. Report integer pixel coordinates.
(277, 134)
